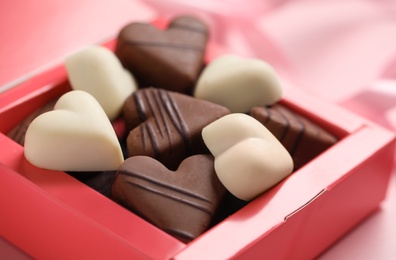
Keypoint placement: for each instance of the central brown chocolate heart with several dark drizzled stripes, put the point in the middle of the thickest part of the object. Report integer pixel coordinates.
(167, 125)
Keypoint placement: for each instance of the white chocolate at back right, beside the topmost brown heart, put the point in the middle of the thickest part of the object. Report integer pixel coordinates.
(238, 83)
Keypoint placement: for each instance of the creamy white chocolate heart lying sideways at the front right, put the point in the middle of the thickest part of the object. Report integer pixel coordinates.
(248, 158)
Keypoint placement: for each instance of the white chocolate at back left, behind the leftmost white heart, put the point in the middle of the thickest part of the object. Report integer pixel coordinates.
(98, 71)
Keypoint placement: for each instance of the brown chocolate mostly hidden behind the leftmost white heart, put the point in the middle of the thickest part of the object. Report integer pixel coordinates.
(19, 131)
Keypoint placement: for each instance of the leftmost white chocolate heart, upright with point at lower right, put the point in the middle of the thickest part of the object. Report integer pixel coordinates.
(75, 136)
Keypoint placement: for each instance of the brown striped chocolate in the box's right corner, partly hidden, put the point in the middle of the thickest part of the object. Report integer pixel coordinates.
(301, 137)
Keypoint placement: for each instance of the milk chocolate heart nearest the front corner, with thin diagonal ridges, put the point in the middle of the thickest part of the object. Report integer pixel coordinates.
(182, 203)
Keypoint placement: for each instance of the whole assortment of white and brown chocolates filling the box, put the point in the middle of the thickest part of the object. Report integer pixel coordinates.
(200, 141)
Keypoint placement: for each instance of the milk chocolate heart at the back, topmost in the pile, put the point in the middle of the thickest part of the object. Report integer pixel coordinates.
(171, 59)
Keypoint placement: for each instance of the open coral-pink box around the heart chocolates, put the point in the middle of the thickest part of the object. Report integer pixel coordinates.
(48, 214)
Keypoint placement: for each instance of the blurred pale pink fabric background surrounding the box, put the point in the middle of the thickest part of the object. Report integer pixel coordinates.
(342, 51)
